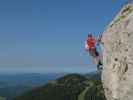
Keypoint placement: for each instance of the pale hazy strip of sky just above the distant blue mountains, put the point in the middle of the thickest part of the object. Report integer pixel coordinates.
(44, 70)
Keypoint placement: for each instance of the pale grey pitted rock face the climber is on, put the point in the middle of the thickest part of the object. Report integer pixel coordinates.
(117, 48)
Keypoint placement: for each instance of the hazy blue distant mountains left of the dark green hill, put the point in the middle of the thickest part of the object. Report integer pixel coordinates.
(12, 85)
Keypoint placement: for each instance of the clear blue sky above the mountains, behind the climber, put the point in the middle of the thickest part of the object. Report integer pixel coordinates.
(49, 35)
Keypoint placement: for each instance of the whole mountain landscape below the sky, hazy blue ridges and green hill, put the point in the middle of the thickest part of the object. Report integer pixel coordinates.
(51, 86)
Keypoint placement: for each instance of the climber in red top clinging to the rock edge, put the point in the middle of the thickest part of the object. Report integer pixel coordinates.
(90, 46)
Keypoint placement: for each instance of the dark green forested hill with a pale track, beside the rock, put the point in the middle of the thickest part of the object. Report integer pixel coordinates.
(68, 87)
